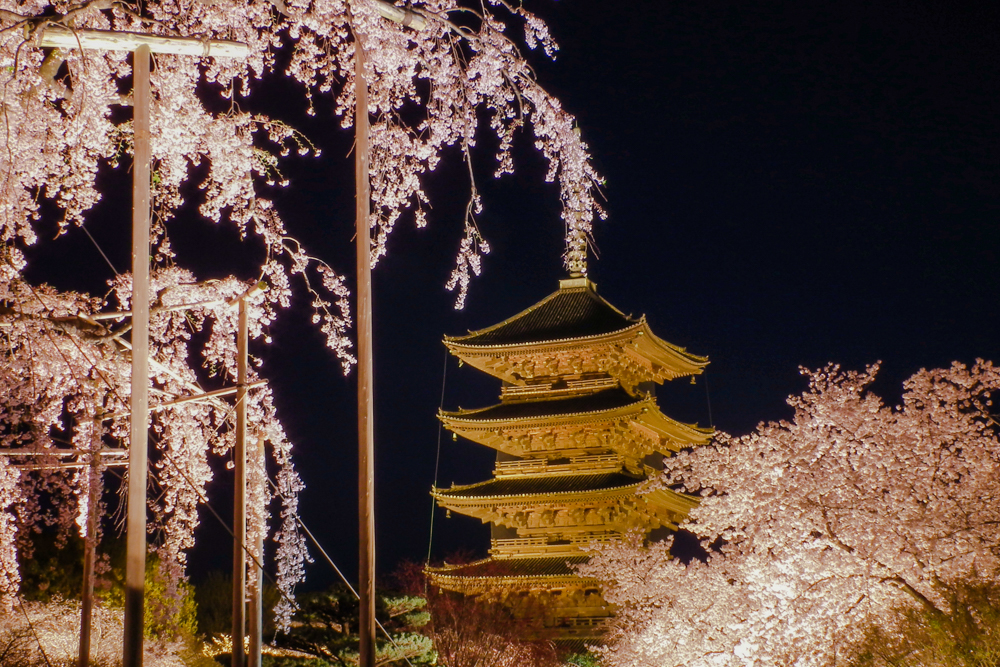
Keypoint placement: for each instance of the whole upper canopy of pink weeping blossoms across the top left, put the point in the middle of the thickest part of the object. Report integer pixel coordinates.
(64, 109)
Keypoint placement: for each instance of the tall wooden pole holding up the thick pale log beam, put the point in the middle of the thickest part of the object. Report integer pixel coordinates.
(135, 559)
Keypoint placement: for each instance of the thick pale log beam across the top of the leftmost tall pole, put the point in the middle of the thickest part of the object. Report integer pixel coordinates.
(58, 37)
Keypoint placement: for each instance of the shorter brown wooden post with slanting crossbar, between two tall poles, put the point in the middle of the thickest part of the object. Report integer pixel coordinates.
(240, 493)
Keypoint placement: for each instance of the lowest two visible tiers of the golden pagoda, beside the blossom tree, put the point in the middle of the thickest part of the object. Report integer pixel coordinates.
(549, 520)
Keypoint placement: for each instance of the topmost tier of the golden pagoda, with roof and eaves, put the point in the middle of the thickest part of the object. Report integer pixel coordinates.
(571, 339)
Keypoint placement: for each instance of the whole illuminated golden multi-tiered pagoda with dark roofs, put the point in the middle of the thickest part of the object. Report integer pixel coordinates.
(577, 433)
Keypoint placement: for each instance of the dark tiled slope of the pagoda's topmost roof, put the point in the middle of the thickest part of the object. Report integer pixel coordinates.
(568, 313)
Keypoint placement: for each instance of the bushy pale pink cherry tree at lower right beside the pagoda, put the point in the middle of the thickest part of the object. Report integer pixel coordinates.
(827, 524)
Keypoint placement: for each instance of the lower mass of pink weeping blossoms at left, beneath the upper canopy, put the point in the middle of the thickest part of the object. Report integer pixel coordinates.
(66, 368)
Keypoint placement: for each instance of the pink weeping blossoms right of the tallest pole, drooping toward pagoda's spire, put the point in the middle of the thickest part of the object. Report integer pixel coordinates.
(460, 70)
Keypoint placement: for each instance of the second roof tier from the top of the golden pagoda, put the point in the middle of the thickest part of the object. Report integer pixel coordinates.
(582, 424)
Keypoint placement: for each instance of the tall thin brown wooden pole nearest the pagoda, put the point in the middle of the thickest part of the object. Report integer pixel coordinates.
(366, 412)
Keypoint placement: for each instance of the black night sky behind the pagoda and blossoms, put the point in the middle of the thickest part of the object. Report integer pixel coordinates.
(789, 184)
